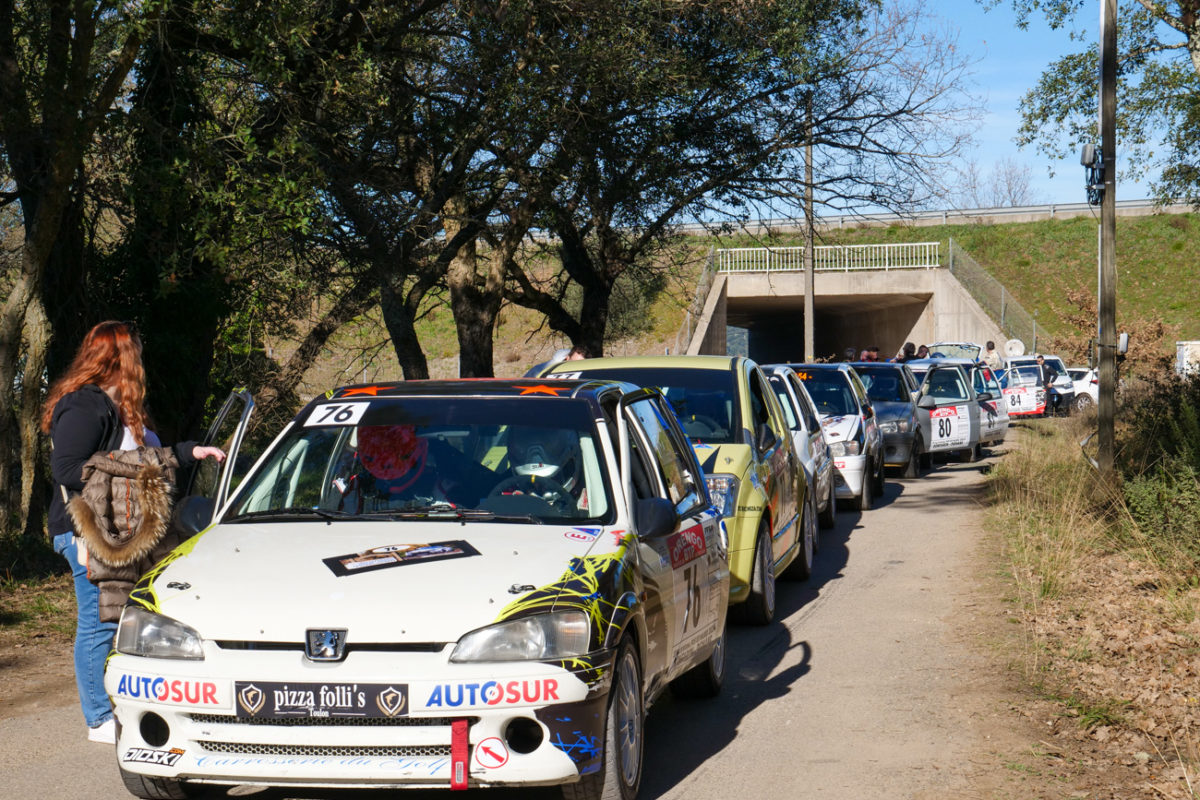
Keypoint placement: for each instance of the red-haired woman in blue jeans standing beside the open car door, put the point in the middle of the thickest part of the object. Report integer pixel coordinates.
(98, 406)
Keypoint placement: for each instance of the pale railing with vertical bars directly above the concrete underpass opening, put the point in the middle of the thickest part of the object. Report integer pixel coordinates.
(831, 258)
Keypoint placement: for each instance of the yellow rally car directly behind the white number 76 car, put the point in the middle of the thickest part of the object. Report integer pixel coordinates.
(742, 441)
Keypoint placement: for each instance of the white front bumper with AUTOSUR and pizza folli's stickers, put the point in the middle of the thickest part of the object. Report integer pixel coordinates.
(200, 721)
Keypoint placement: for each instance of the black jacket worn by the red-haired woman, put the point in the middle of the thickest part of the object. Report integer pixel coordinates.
(86, 423)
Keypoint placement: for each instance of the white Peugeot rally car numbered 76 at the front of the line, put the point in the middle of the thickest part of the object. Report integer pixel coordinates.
(431, 585)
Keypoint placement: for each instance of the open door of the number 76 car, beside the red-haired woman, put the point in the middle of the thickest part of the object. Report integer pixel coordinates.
(212, 484)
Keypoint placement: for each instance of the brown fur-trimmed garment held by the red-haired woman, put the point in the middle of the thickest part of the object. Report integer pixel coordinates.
(123, 518)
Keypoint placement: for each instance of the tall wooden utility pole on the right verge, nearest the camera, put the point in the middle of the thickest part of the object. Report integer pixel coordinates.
(1107, 335)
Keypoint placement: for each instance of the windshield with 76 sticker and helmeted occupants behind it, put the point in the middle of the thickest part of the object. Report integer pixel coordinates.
(489, 459)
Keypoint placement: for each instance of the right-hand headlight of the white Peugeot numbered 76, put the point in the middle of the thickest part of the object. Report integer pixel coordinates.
(559, 635)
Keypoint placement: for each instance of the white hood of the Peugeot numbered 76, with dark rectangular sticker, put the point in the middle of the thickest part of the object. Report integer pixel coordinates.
(272, 582)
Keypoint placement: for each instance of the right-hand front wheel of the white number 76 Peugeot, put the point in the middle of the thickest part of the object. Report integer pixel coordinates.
(625, 737)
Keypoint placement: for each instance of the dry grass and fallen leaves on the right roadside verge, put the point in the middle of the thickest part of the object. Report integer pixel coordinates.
(1111, 629)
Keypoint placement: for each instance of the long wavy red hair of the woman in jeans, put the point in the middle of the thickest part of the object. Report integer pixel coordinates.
(111, 356)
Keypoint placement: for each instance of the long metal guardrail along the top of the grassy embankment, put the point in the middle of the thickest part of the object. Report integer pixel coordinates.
(1047, 210)
